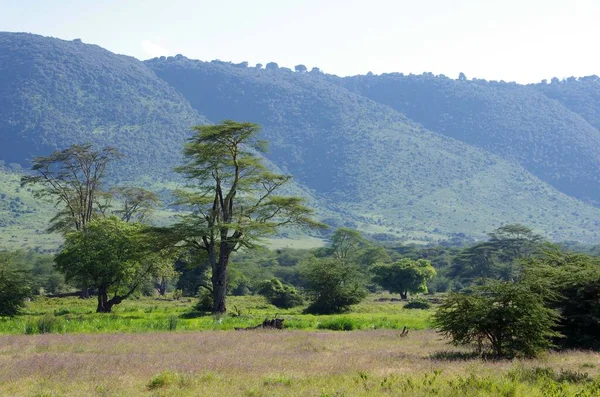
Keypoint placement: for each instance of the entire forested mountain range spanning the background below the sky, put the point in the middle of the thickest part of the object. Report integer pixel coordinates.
(459, 158)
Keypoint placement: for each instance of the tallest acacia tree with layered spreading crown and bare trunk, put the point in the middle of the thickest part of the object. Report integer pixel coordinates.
(233, 202)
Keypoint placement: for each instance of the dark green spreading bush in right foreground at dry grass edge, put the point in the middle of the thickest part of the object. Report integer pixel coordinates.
(509, 317)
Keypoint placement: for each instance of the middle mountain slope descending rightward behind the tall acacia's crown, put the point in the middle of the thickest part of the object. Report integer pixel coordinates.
(382, 169)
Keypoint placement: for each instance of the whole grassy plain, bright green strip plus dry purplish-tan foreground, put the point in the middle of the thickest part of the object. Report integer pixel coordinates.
(59, 347)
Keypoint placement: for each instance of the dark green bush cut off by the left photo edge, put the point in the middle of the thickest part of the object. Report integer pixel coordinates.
(14, 286)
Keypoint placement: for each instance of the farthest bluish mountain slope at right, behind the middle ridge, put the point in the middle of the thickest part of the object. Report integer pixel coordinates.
(512, 121)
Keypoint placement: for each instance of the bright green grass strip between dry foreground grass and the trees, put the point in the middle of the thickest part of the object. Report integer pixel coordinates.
(72, 315)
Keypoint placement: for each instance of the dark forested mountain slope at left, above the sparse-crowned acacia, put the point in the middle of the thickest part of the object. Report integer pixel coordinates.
(57, 92)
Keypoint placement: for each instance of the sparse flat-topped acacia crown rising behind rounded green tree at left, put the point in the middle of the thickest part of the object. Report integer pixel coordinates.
(73, 177)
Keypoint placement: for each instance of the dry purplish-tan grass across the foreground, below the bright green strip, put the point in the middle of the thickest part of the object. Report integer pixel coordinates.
(263, 363)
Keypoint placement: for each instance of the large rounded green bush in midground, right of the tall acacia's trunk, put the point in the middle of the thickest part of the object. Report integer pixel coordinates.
(333, 285)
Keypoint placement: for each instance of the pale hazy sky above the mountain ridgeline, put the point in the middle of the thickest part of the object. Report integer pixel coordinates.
(511, 40)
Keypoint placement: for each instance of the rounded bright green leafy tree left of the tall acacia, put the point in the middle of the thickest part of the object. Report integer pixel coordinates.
(113, 257)
